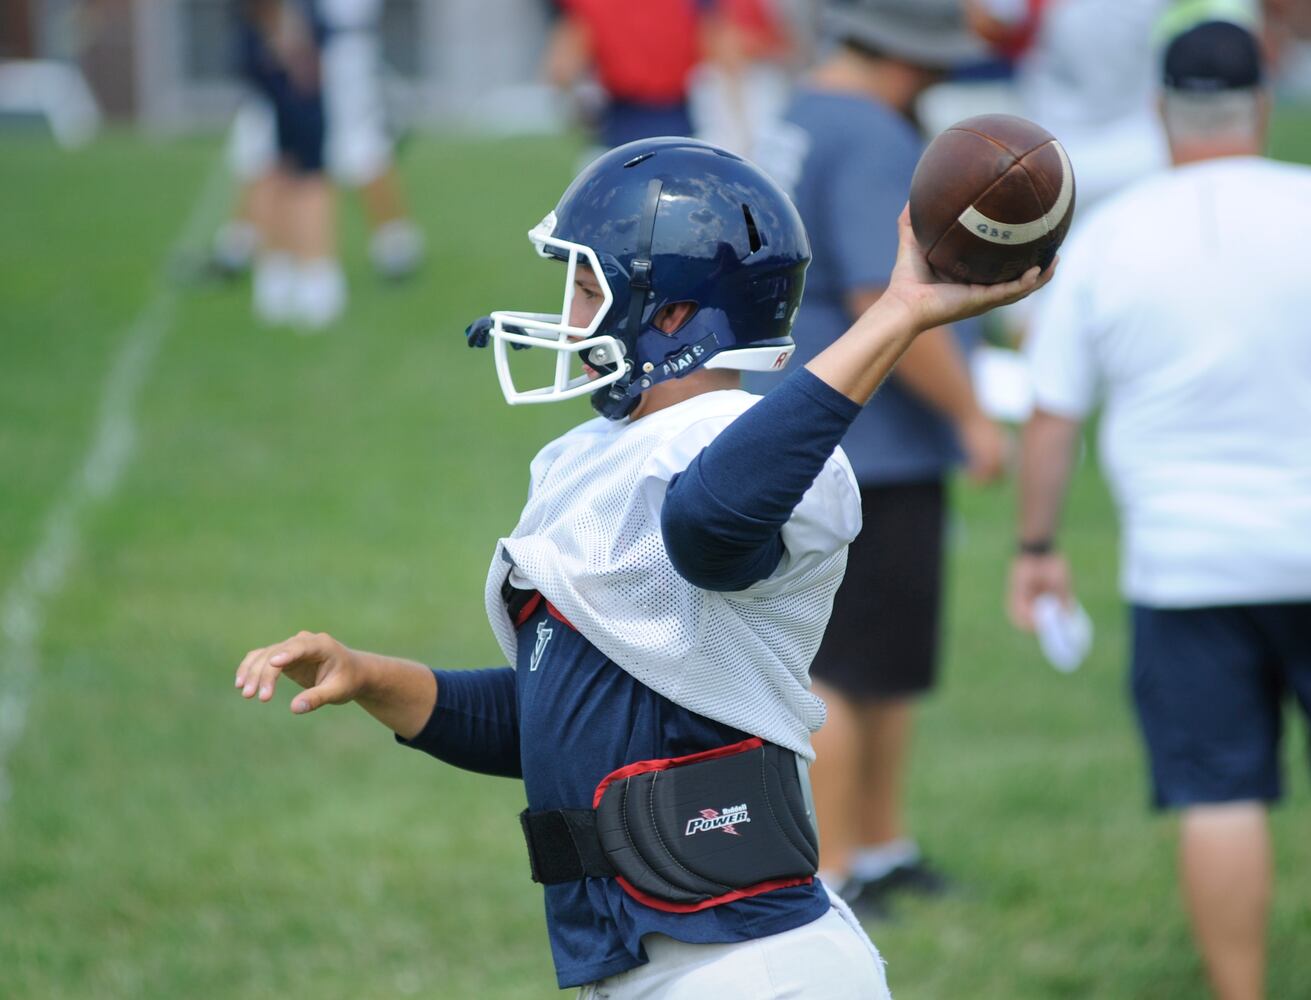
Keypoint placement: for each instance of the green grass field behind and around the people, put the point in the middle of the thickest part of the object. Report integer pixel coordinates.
(163, 838)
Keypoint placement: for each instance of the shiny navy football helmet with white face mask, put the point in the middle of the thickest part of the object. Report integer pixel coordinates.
(661, 222)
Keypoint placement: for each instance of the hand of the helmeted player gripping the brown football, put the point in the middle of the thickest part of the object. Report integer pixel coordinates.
(934, 302)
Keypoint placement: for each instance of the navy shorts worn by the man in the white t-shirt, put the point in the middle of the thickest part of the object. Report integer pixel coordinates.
(1209, 686)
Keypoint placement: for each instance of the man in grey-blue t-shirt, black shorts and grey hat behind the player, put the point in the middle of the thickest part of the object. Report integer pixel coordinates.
(848, 149)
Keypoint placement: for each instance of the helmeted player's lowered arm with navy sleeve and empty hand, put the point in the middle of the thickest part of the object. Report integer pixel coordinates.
(469, 719)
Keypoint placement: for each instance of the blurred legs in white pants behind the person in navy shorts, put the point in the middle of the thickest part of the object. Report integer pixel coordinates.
(360, 151)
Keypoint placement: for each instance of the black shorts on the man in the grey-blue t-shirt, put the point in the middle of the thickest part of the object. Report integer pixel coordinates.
(882, 643)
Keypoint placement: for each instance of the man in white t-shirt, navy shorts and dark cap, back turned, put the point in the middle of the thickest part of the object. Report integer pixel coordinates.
(1183, 311)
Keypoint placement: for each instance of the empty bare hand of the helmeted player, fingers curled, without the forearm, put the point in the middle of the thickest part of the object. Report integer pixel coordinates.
(331, 673)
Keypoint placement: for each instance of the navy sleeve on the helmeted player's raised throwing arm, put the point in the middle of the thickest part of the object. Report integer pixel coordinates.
(724, 516)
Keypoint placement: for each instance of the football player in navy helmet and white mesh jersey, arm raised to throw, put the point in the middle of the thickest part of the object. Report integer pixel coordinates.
(667, 587)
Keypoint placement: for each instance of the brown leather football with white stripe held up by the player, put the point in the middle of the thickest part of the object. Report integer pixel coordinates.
(992, 197)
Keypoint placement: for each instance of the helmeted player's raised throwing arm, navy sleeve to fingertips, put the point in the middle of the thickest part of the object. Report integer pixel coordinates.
(724, 516)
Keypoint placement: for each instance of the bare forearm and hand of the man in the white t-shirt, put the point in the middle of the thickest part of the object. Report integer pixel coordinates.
(1047, 458)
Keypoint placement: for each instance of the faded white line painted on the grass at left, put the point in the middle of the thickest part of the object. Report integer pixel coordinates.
(44, 575)
